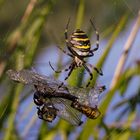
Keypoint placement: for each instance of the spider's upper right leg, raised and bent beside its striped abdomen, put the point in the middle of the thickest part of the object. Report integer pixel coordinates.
(97, 36)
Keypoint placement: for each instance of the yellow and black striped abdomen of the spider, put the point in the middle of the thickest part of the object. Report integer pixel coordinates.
(80, 41)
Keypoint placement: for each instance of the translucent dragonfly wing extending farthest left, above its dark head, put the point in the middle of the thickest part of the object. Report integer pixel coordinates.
(33, 78)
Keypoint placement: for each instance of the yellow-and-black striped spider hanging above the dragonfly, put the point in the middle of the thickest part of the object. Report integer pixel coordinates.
(79, 47)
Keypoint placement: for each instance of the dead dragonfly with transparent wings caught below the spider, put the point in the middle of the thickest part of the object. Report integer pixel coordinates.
(68, 103)
